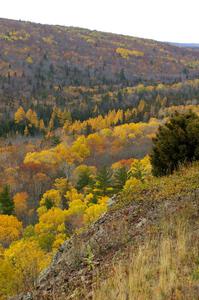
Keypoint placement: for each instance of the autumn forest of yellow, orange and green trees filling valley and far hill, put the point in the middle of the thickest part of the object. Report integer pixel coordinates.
(79, 112)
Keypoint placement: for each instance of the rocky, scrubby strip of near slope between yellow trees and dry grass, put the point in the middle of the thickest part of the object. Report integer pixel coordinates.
(134, 217)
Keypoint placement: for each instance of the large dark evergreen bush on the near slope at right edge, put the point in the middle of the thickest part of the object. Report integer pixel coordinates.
(176, 142)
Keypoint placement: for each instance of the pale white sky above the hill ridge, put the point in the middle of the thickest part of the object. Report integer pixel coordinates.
(165, 20)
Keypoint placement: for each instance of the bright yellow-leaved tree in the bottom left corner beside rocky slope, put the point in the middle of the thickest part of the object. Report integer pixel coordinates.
(20, 265)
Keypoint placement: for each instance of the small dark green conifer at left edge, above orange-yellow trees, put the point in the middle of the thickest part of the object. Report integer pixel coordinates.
(6, 202)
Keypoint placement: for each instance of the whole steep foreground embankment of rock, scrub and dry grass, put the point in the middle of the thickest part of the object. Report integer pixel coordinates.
(138, 215)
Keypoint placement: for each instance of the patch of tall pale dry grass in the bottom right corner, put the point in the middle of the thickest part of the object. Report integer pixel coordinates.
(161, 268)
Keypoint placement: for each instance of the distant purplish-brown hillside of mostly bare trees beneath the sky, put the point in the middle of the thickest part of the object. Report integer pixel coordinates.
(83, 71)
